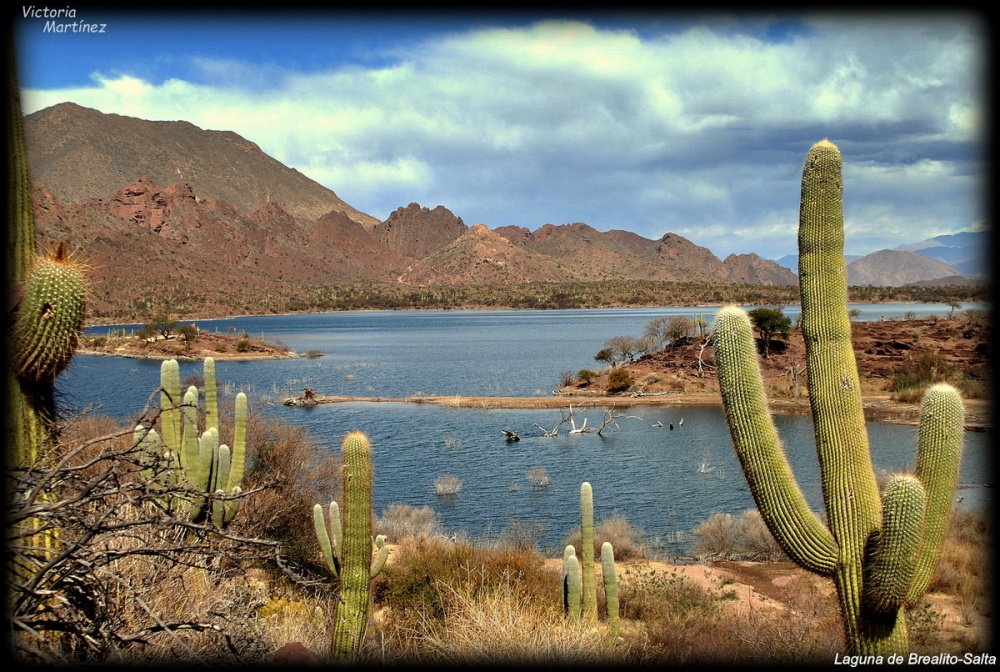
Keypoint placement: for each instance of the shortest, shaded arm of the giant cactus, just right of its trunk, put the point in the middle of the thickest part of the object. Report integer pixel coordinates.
(890, 570)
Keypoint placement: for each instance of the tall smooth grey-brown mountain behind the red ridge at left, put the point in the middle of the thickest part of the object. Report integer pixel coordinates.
(81, 153)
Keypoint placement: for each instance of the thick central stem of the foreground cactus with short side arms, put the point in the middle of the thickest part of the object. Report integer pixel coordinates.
(356, 557)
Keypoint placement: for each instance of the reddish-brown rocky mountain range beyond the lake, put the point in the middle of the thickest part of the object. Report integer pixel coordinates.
(167, 211)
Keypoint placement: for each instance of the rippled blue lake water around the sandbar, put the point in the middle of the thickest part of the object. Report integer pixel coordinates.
(648, 474)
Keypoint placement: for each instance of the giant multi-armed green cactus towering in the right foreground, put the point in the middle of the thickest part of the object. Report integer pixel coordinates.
(880, 551)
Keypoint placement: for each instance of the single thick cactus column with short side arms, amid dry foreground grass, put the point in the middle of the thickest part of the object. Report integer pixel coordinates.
(347, 547)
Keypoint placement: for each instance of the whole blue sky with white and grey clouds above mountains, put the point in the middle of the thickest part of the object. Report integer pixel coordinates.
(691, 123)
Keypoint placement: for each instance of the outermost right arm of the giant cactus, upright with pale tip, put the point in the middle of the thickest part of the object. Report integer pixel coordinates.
(940, 439)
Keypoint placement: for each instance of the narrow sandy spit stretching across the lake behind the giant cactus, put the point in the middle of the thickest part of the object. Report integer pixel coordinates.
(877, 408)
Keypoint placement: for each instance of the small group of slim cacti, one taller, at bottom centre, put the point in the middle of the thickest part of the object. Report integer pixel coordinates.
(580, 593)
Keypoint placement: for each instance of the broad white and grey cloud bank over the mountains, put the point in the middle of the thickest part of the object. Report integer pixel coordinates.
(701, 129)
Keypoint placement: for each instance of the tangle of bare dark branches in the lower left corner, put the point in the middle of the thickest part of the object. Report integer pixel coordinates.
(90, 532)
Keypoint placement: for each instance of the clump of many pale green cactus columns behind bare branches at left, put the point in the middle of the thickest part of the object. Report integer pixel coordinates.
(182, 455)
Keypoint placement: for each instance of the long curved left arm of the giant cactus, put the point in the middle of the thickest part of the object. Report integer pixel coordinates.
(783, 507)
